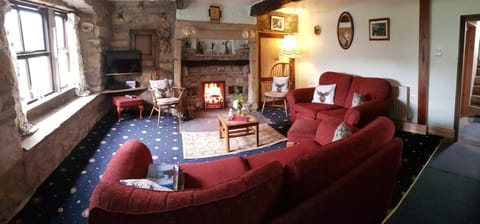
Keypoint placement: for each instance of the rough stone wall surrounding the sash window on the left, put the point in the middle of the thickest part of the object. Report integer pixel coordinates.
(22, 172)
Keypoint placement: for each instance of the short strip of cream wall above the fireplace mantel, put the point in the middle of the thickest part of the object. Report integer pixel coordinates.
(232, 12)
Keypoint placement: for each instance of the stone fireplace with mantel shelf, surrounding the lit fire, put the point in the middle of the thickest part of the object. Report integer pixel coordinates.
(233, 68)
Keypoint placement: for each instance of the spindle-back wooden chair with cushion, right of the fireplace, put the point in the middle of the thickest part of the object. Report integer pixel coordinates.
(275, 86)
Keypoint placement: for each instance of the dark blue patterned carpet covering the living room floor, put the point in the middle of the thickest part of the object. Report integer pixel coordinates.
(64, 196)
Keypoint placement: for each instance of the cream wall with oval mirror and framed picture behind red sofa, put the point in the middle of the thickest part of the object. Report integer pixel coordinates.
(396, 59)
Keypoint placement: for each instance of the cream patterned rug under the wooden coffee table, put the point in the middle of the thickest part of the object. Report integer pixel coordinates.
(208, 144)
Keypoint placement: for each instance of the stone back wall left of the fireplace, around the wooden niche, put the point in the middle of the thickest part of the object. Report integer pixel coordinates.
(146, 15)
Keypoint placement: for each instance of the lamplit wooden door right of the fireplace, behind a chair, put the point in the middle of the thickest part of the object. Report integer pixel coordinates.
(268, 55)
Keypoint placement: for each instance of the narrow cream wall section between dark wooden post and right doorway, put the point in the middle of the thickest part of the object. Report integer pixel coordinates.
(443, 70)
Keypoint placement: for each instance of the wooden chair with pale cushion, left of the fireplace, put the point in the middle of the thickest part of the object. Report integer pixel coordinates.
(165, 96)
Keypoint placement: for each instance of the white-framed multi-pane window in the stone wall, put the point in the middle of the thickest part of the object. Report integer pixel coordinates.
(39, 36)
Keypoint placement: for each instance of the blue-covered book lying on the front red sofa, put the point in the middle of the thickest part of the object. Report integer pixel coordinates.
(167, 175)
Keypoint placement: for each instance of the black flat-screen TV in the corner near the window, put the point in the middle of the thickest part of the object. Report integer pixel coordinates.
(122, 61)
